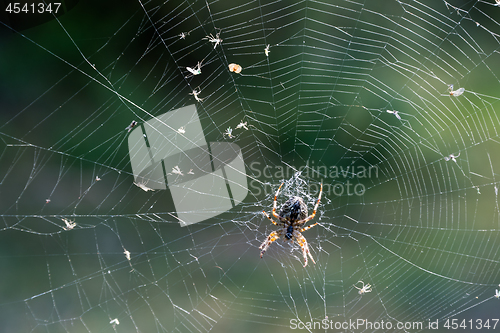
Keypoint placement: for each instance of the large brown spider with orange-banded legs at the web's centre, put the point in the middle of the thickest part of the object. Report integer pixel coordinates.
(292, 217)
